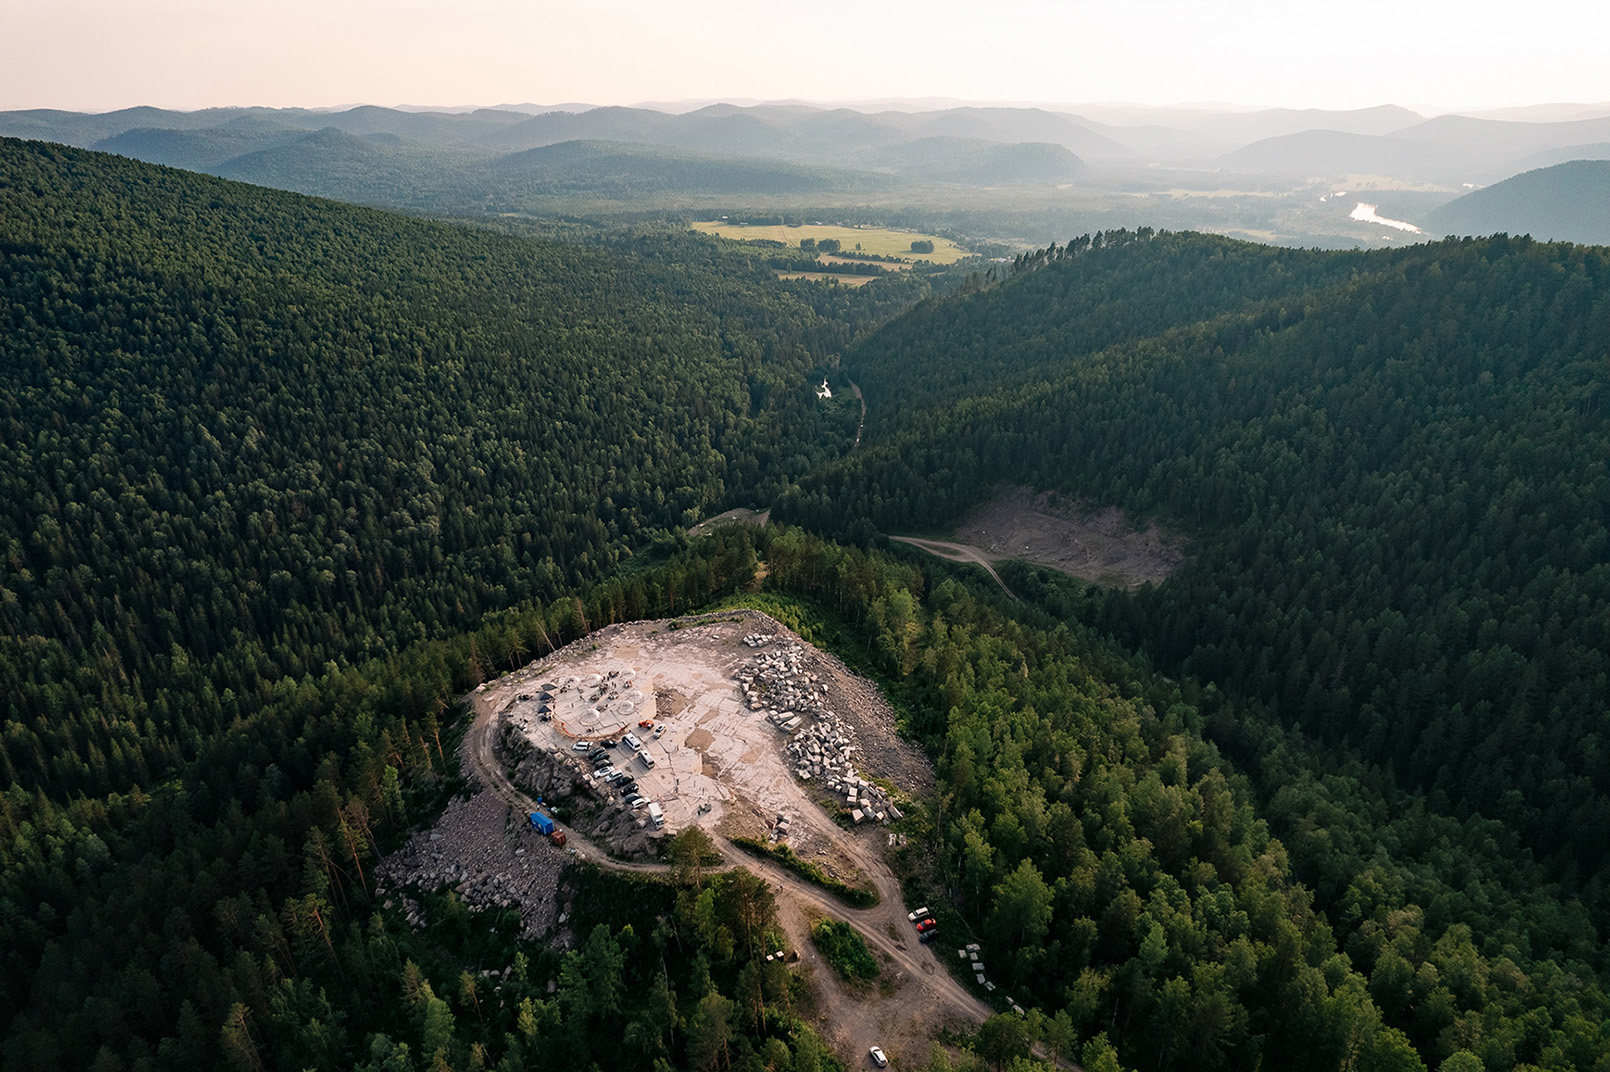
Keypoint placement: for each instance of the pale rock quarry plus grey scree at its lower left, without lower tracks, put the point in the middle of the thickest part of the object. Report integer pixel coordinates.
(729, 722)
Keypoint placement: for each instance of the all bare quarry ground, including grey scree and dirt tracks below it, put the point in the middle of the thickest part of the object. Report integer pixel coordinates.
(714, 685)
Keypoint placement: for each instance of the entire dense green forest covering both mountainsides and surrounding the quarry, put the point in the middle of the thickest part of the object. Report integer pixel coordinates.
(284, 479)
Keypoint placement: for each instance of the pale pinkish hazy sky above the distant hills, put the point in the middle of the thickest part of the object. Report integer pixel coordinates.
(189, 54)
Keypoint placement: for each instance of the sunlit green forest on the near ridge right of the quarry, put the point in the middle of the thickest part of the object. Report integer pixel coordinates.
(1089, 822)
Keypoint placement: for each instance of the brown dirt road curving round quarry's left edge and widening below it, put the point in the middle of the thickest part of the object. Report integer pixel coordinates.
(925, 994)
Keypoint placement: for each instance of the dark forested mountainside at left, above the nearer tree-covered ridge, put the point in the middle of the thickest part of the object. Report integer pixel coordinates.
(249, 434)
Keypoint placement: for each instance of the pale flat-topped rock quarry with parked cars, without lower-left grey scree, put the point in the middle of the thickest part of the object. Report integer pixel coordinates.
(729, 722)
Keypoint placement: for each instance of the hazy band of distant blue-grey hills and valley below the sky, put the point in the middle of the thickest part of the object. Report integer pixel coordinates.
(1001, 173)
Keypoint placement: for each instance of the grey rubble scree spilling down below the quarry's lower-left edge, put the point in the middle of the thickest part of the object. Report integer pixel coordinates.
(489, 854)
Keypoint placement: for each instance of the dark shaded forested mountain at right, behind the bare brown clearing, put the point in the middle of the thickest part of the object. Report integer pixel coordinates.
(1392, 468)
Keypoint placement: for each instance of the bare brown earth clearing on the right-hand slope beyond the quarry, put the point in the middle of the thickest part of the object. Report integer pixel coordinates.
(1096, 545)
